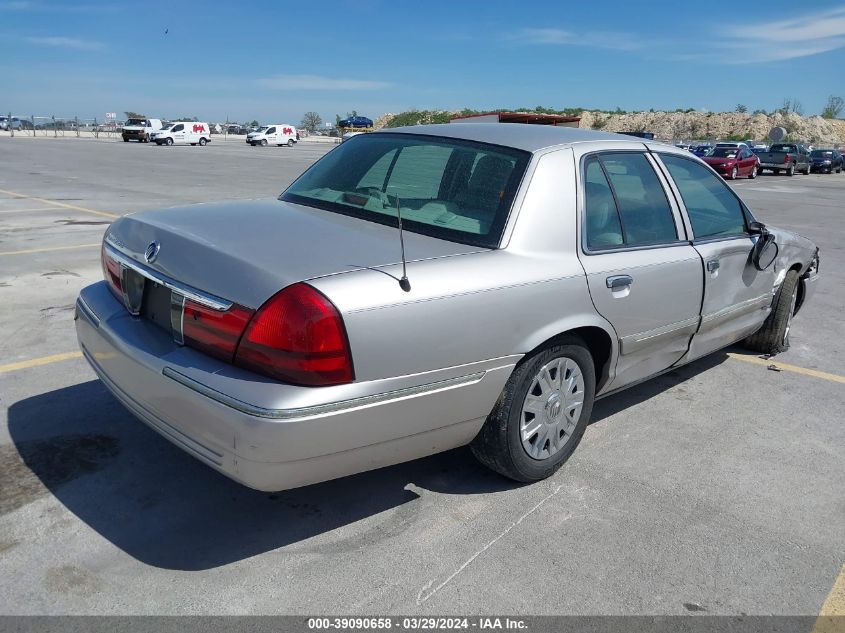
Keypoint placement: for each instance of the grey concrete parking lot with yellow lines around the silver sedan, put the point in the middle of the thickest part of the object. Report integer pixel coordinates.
(717, 488)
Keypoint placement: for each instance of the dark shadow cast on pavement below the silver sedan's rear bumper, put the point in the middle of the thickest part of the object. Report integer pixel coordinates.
(166, 509)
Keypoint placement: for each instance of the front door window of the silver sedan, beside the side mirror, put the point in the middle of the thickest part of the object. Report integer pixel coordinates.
(712, 207)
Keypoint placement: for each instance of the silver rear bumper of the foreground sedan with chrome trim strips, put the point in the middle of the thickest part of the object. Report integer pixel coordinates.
(272, 436)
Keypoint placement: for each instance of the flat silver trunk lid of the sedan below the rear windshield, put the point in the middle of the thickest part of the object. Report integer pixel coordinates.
(246, 251)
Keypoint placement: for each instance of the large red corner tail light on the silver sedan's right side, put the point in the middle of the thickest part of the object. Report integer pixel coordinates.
(298, 336)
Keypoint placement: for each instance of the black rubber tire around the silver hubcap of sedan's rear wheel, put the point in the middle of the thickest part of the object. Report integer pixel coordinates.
(499, 446)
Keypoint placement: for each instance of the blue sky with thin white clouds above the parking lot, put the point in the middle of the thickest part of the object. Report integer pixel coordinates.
(277, 60)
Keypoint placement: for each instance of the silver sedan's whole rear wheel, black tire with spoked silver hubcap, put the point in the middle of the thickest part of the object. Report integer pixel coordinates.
(541, 414)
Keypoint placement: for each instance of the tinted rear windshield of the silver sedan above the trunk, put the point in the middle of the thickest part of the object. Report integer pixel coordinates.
(457, 190)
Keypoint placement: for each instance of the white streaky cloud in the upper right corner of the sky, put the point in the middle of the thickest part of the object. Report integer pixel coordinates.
(778, 40)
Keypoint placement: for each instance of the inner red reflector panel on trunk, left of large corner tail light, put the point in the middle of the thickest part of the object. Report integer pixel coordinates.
(213, 332)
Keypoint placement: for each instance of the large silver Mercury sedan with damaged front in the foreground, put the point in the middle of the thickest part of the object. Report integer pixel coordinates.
(283, 342)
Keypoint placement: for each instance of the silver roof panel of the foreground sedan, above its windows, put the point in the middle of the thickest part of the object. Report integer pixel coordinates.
(530, 138)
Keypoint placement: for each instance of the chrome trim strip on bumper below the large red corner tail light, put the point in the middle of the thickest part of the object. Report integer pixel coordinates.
(320, 409)
